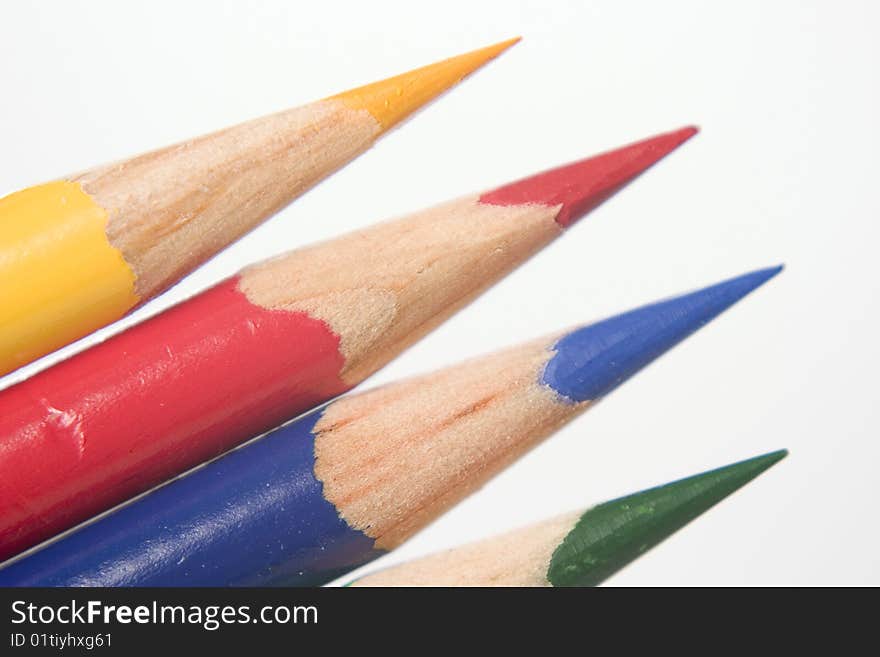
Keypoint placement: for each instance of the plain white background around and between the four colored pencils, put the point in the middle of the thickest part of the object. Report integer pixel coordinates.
(784, 170)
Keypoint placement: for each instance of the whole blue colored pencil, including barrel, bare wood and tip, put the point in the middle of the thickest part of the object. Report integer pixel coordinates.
(338, 487)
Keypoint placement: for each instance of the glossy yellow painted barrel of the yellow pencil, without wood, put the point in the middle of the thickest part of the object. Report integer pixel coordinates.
(60, 277)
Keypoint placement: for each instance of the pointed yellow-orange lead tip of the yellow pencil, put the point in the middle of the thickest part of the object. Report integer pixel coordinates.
(390, 101)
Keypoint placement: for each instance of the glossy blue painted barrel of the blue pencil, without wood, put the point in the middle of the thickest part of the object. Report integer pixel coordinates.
(256, 517)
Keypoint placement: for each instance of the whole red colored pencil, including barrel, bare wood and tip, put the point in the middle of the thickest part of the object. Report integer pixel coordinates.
(268, 344)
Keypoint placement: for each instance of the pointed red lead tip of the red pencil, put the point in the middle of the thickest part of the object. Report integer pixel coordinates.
(581, 186)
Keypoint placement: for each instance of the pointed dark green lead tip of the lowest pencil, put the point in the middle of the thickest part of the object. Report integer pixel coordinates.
(611, 535)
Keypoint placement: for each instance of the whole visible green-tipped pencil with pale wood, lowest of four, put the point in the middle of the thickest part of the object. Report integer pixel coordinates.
(578, 549)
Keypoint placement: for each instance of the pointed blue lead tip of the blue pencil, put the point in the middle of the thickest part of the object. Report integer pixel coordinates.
(591, 361)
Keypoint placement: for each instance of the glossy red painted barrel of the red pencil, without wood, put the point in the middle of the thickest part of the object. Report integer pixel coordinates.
(151, 402)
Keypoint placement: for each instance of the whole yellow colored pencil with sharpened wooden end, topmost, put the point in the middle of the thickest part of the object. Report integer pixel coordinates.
(77, 254)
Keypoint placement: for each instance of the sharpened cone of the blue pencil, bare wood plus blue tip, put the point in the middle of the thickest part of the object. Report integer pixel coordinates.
(487, 413)
